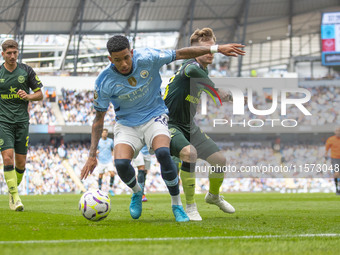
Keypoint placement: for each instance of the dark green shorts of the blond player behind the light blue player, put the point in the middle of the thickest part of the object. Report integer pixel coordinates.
(180, 138)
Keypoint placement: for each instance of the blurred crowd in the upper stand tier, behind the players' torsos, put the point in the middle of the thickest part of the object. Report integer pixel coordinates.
(77, 109)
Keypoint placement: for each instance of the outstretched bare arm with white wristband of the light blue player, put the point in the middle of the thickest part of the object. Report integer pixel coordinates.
(232, 49)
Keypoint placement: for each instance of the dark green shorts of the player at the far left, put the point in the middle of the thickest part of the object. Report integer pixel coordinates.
(14, 136)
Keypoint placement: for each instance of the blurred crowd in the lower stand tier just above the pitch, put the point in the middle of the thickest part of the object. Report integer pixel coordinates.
(48, 171)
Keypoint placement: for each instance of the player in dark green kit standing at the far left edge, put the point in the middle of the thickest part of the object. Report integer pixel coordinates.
(16, 80)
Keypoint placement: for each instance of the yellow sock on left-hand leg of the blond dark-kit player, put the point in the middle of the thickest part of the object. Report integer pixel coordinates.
(188, 182)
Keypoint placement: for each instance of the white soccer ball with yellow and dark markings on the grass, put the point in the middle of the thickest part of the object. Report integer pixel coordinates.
(95, 205)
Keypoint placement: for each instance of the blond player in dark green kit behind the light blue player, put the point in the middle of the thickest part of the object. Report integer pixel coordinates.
(188, 142)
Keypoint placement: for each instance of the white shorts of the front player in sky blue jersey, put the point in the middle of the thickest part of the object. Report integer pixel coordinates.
(137, 136)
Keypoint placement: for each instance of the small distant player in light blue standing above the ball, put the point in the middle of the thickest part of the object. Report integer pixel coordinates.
(105, 162)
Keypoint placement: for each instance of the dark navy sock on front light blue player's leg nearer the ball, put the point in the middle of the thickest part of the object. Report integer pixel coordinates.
(126, 172)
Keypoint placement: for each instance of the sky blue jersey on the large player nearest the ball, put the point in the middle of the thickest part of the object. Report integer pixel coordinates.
(136, 97)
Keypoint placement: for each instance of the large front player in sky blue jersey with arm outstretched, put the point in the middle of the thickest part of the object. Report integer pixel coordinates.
(132, 84)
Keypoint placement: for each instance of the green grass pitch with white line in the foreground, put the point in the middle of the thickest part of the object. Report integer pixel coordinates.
(281, 219)
